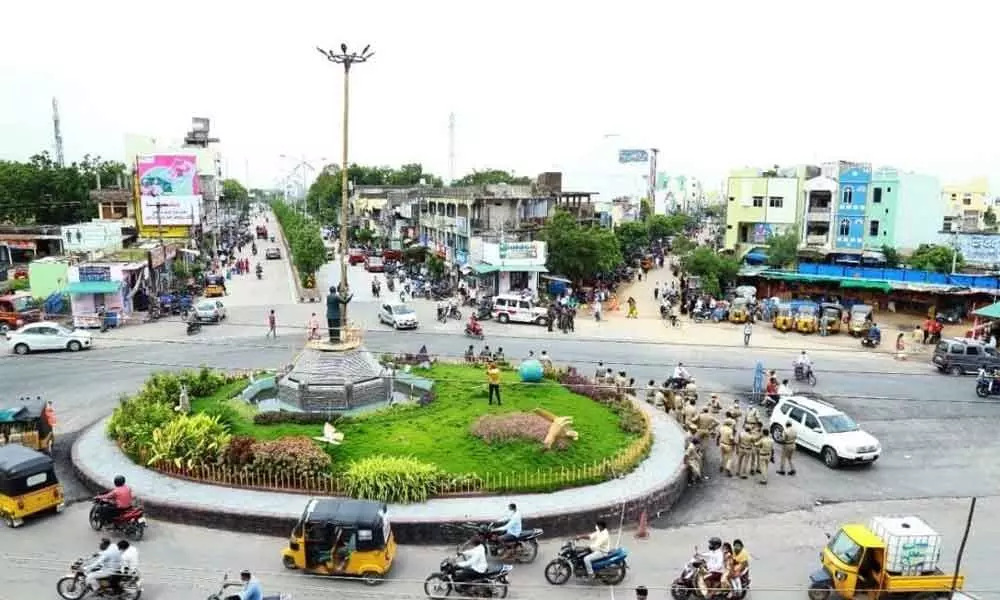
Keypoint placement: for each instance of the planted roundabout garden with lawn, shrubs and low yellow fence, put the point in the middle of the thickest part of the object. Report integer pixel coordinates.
(196, 425)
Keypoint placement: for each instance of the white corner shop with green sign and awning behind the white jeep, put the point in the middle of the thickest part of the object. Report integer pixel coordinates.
(511, 267)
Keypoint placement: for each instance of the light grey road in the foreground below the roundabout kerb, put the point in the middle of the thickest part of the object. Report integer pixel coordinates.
(184, 562)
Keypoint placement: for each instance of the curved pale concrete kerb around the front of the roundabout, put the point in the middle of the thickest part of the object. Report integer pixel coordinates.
(654, 486)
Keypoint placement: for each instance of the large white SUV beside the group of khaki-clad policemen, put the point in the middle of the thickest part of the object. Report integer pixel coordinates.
(824, 429)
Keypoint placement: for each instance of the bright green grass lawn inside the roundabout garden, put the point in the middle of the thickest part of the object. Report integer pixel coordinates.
(439, 433)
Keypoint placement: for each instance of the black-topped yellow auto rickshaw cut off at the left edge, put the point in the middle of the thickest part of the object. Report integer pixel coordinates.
(28, 484)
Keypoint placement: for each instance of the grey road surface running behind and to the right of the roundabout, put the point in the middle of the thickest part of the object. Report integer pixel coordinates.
(938, 439)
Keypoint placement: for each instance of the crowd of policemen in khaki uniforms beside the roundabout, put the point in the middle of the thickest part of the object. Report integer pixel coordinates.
(745, 447)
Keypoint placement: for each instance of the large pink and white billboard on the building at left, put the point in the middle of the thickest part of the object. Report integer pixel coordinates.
(170, 192)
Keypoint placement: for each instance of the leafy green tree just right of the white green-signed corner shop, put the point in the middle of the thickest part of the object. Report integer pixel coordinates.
(578, 252)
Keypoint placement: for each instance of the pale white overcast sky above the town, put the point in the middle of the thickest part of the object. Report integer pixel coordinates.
(534, 86)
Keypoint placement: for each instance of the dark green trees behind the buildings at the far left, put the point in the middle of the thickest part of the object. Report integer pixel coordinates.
(40, 192)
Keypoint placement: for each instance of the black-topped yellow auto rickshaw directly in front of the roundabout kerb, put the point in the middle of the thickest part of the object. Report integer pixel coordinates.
(338, 537)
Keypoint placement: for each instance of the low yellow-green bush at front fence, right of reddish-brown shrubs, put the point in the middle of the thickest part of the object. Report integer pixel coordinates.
(401, 479)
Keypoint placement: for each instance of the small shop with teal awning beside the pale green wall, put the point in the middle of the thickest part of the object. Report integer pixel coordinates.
(109, 285)
